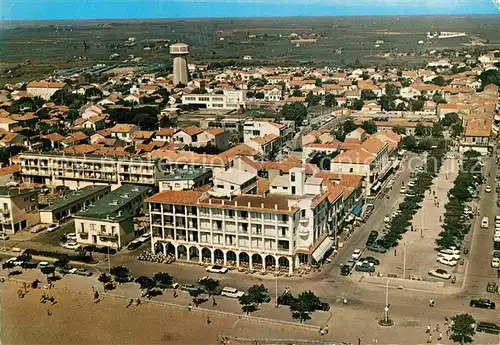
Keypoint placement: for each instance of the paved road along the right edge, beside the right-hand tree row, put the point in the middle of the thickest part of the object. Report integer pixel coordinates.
(480, 271)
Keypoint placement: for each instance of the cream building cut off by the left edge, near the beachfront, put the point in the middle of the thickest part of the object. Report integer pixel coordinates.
(18, 209)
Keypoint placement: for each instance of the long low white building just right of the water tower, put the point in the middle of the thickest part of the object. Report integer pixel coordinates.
(228, 100)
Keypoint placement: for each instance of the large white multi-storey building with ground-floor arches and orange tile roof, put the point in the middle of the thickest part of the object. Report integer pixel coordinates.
(274, 232)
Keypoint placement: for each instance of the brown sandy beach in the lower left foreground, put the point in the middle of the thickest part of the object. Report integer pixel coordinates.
(76, 319)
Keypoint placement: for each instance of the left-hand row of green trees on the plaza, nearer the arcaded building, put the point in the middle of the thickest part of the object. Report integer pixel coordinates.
(411, 203)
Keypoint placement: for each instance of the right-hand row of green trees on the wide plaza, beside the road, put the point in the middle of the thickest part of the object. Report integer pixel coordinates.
(456, 224)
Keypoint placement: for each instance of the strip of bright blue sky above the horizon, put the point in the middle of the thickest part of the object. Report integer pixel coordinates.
(142, 9)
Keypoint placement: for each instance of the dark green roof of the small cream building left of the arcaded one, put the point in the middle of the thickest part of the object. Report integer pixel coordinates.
(112, 203)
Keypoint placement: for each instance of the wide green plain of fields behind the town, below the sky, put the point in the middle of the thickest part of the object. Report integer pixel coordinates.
(53, 45)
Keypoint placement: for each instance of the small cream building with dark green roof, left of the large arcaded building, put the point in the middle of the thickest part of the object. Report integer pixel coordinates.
(109, 221)
